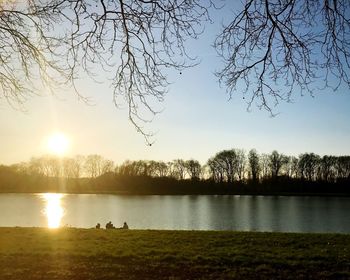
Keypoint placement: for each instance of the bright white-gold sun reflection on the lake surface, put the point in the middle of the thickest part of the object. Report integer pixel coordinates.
(53, 209)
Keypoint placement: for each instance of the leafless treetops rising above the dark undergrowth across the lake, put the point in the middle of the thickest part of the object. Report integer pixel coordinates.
(226, 166)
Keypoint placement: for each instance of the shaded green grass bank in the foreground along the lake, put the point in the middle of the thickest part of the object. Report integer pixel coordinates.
(68, 253)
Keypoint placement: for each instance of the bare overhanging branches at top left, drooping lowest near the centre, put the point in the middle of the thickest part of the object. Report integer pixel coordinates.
(133, 41)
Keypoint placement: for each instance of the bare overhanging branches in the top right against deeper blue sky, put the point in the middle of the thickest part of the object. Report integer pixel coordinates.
(273, 48)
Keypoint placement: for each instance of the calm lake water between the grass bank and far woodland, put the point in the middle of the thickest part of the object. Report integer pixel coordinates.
(248, 213)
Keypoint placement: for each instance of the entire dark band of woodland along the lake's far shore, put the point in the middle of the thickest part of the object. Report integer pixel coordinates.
(228, 172)
